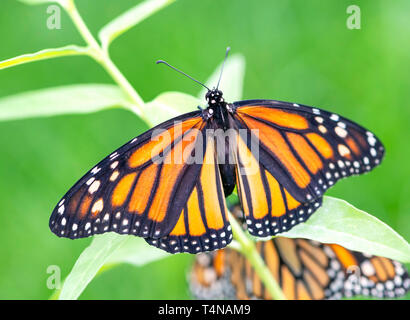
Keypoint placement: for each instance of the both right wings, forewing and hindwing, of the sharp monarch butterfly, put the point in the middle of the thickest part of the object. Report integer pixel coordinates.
(302, 151)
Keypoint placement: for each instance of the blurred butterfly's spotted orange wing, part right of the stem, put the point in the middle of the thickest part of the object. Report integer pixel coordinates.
(307, 269)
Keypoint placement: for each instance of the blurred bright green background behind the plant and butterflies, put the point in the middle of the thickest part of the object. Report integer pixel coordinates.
(296, 50)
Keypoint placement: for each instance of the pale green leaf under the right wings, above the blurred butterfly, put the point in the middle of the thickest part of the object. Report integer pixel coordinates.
(339, 222)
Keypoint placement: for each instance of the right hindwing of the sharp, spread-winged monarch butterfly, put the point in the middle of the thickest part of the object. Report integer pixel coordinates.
(268, 206)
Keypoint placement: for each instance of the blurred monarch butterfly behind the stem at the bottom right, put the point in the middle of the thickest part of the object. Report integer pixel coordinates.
(304, 269)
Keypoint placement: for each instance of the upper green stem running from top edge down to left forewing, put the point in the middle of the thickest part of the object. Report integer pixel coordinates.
(103, 58)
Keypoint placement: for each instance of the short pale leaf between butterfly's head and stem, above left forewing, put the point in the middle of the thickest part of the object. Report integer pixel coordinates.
(168, 105)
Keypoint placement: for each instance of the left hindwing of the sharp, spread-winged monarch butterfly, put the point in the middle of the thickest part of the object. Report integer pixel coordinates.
(203, 223)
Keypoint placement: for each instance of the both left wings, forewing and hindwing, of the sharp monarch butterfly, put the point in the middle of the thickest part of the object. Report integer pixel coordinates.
(144, 186)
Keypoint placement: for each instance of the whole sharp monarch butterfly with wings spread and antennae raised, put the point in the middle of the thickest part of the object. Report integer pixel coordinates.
(179, 206)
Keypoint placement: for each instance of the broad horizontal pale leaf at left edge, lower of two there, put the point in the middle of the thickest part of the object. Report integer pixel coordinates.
(82, 98)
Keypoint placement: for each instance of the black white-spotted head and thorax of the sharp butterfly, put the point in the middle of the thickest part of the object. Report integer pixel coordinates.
(217, 108)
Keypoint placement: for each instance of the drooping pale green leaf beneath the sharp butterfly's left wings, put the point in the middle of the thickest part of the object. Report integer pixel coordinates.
(105, 250)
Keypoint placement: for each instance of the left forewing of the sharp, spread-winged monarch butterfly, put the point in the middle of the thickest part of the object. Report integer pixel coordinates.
(138, 188)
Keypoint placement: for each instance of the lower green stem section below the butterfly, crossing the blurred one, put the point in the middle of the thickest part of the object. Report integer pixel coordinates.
(248, 249)
